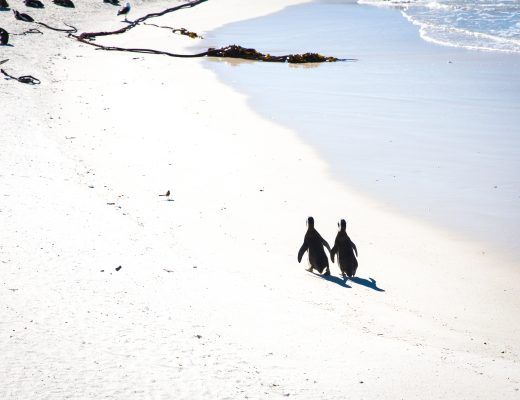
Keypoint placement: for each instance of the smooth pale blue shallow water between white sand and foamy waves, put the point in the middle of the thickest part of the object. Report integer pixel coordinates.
(431, 131)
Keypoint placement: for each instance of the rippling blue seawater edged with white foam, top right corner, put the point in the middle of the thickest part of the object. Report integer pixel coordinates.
(492, 25)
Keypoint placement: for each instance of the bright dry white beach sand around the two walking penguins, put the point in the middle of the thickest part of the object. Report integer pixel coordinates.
(210, 301)
